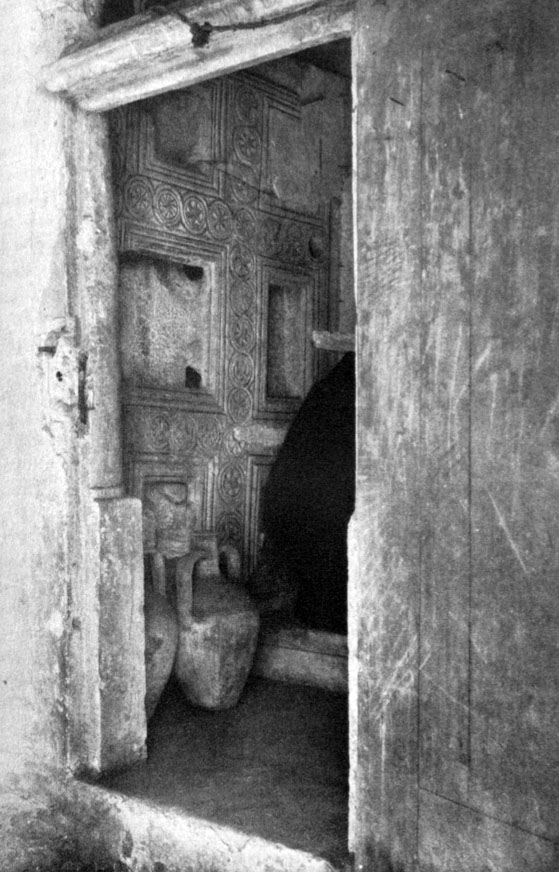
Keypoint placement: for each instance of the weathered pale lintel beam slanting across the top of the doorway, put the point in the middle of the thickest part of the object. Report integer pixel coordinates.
(191, 44)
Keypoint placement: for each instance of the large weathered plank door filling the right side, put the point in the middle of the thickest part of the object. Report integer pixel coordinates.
(454, 606)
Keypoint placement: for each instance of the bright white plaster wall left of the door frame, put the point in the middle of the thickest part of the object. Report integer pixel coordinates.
(36, 430)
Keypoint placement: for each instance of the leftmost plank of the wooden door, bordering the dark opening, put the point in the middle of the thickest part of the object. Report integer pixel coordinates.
(384, 543)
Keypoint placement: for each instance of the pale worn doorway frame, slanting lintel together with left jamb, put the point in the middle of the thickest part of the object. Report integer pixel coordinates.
(134, 60)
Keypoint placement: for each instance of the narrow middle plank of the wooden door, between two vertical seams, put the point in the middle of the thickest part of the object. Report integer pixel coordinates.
(445, 412)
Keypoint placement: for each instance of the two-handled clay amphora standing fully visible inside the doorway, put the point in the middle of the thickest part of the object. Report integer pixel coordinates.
(218, 631)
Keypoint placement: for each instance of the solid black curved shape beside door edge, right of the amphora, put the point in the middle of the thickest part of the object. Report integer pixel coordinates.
(308, 500)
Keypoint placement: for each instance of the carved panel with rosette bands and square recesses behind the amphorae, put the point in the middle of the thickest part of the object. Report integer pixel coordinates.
(224, 277)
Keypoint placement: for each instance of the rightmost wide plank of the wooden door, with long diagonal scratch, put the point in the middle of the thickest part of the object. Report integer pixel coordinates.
(515, 448)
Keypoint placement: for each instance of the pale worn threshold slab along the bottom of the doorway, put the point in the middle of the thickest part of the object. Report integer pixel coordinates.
(140, 835)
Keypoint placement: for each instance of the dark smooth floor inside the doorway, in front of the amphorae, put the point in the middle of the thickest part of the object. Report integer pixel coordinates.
(276, 766)
